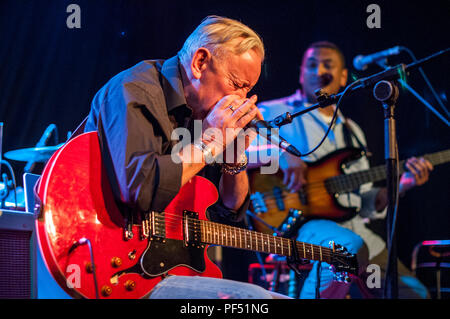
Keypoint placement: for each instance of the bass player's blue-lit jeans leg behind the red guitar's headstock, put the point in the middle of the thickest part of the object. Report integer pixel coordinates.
(321, 232)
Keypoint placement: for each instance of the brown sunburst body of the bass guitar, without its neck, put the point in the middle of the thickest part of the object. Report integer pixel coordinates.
(316, 202)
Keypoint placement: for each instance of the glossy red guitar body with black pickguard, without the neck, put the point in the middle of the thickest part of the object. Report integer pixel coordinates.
(78, 204)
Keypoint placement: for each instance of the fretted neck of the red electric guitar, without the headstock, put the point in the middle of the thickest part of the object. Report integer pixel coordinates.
(224, 235)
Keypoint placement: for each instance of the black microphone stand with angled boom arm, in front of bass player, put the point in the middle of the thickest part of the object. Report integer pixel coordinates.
(385, 90)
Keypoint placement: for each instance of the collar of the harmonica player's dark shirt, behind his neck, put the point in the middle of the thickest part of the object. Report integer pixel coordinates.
(172, 84)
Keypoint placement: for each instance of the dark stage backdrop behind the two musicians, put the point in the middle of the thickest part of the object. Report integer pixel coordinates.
(49, 73)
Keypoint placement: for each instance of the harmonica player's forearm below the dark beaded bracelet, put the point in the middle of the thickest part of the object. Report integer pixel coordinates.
(233, 189)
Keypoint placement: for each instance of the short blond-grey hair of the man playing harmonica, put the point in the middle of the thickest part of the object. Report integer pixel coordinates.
(219, 34)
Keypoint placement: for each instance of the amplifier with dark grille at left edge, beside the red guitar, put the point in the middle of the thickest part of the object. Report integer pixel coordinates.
(23, 272)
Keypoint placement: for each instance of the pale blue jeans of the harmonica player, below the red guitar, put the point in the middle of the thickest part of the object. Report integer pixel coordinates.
(185, 287)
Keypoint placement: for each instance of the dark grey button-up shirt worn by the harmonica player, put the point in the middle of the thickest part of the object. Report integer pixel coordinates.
(134, 115)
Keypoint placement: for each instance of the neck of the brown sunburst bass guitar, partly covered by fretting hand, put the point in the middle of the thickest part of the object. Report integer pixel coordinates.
(350, 182)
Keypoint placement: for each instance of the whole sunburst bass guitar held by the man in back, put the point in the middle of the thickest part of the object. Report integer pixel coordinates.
(272, 203)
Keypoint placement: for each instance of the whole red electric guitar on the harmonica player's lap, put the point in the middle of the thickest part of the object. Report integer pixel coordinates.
(87, 245)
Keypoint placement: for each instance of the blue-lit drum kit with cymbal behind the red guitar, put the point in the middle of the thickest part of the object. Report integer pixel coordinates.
(11, 195)
